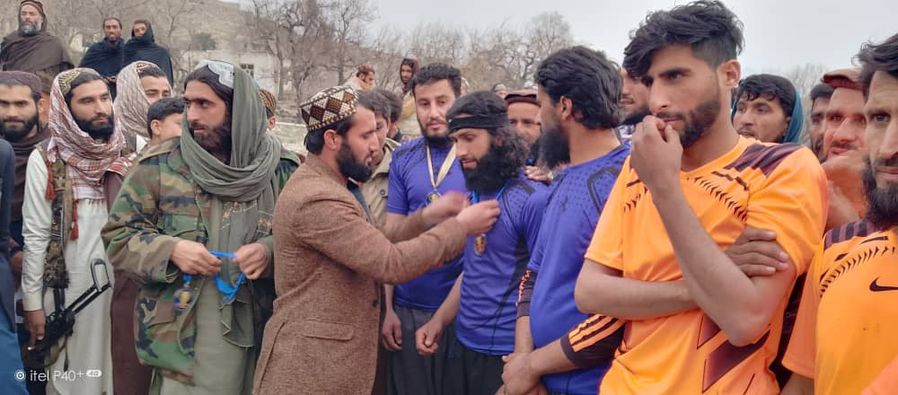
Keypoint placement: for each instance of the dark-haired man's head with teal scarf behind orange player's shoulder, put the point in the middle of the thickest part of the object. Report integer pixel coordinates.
(768, 109)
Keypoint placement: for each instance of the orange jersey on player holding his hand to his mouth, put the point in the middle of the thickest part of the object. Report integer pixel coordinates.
(766, 186)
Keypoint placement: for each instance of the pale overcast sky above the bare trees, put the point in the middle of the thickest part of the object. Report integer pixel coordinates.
(779, 34)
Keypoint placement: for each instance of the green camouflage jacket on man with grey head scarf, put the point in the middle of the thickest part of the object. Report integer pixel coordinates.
(157, 206)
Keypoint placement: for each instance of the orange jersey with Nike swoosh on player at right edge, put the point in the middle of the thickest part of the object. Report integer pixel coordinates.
(846, 333)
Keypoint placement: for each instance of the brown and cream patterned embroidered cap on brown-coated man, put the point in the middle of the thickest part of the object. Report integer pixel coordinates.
(328, 107)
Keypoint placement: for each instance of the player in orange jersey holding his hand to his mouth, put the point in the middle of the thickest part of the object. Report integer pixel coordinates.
(696, 322)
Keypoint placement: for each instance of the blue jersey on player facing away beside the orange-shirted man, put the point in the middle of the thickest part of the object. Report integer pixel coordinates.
(576, 199)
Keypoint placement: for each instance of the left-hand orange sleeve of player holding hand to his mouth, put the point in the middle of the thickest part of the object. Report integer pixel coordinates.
(606, 247)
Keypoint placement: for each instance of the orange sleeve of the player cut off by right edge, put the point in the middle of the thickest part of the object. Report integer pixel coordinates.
(802, 349)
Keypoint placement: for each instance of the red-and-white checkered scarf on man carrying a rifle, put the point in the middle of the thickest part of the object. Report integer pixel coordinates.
(86, 159)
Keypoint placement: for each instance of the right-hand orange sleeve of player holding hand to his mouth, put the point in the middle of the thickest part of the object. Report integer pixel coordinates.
(793, 203)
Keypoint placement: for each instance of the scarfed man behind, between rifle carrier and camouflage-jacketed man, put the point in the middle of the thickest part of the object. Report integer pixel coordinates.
(140, 84)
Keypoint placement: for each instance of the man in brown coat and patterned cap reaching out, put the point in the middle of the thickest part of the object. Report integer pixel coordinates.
(329, 258)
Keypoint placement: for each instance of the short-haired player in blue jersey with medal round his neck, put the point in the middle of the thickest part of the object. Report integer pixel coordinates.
(421, 171)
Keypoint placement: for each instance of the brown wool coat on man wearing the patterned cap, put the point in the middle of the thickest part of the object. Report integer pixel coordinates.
(329, 260)
